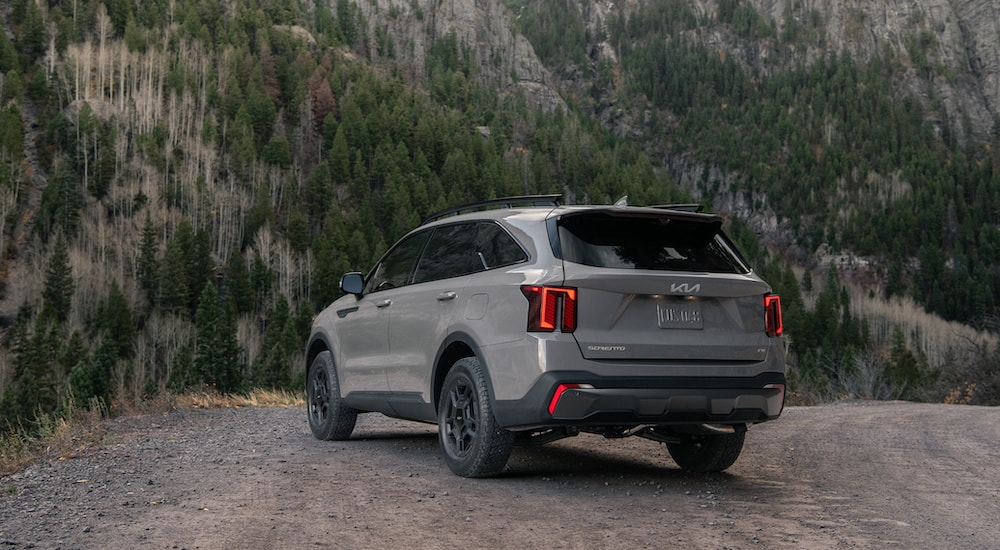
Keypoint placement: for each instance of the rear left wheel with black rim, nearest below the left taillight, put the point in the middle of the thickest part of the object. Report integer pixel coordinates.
(473, 443)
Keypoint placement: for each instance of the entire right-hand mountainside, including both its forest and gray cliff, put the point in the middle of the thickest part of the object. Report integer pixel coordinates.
(847, 136)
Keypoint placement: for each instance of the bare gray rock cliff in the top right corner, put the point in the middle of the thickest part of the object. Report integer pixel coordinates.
(958, 40)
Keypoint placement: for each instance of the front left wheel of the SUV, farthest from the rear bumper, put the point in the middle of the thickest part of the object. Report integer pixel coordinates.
(329, 417)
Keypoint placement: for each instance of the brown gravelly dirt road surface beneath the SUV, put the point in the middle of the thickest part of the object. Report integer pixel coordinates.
(848, 475)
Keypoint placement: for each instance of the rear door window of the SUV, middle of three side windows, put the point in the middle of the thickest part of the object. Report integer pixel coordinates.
(451, 252)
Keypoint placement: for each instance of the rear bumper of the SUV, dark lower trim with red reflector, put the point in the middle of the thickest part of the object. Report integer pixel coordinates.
(600, 401)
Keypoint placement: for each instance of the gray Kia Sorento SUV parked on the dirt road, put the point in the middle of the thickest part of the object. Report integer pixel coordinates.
(523, 321)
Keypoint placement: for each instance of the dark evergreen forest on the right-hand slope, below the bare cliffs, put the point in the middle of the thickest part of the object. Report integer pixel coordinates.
(851, 166)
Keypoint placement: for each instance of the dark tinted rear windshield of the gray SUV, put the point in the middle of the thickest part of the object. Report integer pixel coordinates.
(663, 243)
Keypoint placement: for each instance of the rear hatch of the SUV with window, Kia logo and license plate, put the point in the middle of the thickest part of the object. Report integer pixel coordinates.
(660, 285)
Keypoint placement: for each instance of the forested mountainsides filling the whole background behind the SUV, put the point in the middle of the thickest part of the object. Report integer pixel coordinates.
(183, 182)
